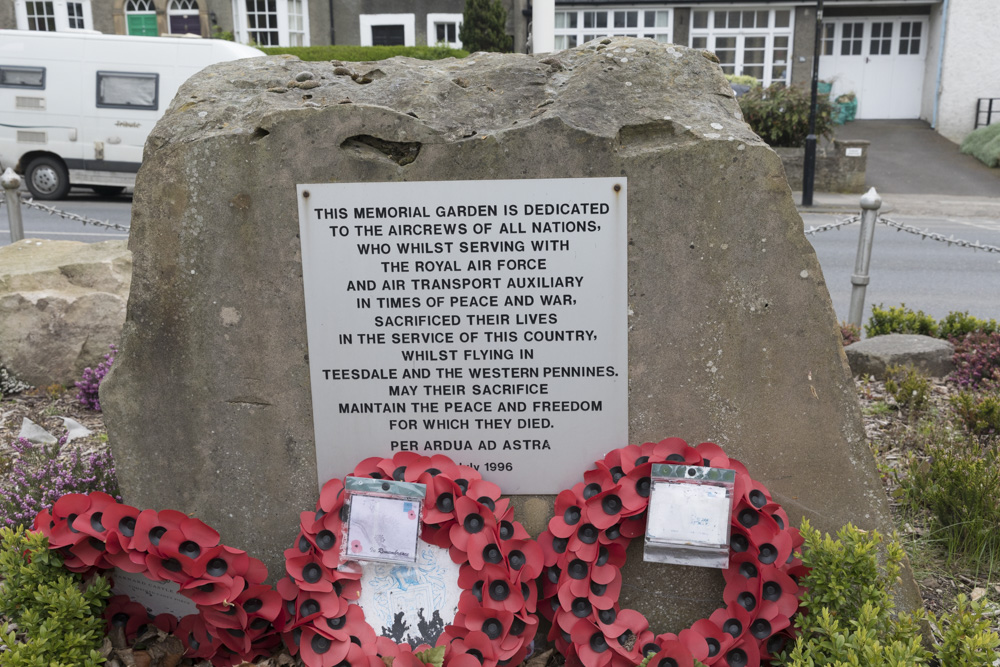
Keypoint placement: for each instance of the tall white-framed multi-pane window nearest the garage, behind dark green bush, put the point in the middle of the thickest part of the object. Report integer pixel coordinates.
(754, 42)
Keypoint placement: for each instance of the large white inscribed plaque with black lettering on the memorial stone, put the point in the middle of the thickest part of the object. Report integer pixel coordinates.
(484, 320)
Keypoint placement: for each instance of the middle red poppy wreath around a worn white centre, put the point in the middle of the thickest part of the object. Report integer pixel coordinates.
(499, 565)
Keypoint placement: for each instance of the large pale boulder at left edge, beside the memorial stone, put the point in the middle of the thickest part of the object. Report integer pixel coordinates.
(62, 303)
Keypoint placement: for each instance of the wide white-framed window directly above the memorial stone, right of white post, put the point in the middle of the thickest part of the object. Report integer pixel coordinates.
(576, 26)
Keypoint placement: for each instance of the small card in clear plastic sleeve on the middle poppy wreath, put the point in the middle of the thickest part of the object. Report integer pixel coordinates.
(383, 528)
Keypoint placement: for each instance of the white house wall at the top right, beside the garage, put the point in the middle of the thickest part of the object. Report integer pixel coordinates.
(971, 66)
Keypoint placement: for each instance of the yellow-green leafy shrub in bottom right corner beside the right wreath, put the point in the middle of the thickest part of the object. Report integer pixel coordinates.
(848, 615)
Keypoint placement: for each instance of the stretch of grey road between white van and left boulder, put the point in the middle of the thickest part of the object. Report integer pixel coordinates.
(43, 225)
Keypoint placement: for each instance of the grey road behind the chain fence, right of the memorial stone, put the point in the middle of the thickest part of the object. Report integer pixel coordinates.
(924, 274)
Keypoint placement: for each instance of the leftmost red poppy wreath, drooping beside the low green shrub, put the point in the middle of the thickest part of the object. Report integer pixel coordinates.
(238, 616)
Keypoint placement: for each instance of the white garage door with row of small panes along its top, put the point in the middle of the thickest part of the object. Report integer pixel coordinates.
(880, 59)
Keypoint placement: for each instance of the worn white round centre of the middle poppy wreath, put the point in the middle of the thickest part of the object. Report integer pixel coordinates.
(411, 603)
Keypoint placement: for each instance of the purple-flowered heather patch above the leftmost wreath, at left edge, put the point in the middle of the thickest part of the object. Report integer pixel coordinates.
(39, 475)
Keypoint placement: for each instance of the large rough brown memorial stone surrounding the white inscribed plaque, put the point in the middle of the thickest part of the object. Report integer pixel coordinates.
(732, 334)
